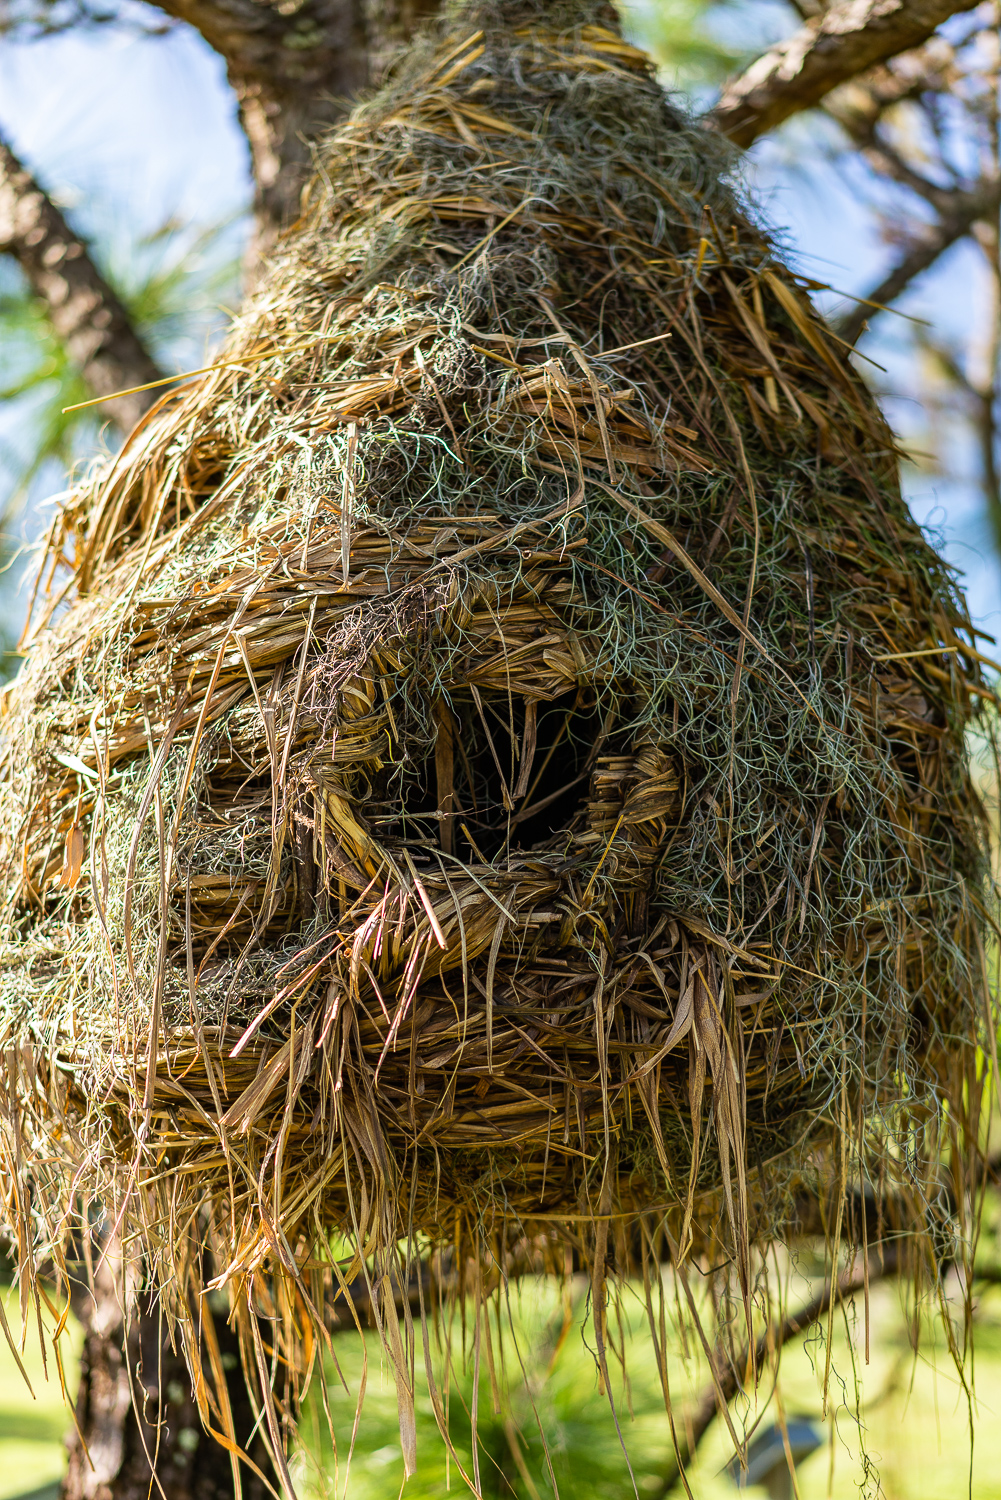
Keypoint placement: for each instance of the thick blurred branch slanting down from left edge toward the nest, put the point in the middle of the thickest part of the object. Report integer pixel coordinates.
(85, 311)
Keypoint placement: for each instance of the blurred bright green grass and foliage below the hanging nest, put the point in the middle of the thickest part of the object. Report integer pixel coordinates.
(897, 1429)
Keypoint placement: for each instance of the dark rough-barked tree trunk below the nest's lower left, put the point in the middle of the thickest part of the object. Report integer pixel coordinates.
(160, 1451)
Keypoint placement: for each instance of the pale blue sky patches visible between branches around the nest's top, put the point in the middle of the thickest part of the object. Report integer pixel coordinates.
(131, 131)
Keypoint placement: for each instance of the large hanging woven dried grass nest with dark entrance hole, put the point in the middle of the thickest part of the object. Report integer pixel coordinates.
(490, 766)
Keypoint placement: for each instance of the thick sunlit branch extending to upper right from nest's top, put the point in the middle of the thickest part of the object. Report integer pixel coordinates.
(829, 50)
